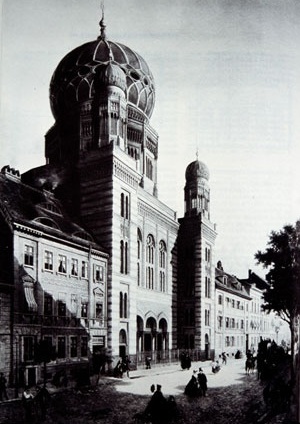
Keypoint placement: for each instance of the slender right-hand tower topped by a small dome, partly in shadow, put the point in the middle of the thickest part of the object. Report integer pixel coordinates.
(196, 269)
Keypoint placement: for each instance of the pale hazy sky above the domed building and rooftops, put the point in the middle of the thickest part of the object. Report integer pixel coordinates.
(227, 83)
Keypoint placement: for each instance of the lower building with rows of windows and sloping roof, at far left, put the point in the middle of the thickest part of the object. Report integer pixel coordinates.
(55, 285)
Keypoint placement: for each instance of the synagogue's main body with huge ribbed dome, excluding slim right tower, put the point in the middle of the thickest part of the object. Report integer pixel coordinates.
(101, 162)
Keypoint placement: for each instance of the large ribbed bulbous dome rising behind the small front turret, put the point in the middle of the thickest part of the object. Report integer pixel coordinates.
(76, 77)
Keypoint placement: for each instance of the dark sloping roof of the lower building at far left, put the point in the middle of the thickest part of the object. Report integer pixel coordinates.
(38, 209)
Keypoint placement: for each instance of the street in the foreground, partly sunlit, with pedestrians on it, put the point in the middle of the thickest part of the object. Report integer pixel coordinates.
(233, 397)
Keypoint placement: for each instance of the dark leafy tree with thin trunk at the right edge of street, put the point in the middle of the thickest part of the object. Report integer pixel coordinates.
(282, 259)
